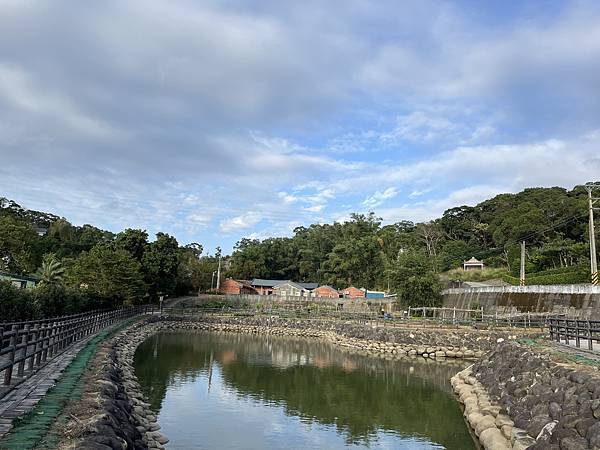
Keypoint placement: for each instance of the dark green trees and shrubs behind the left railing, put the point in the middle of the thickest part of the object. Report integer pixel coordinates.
(84, 267)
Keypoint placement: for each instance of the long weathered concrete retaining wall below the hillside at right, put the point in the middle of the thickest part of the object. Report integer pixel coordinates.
(576, 300)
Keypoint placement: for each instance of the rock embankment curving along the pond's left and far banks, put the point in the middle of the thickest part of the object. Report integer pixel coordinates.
(113, 412)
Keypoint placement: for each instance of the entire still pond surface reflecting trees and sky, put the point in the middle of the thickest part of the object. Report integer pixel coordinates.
(236, 391)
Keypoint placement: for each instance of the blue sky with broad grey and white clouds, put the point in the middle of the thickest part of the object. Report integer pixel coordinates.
(220, 119)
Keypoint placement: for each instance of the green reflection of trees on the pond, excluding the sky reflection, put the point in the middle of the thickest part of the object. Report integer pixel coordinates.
(354, 395)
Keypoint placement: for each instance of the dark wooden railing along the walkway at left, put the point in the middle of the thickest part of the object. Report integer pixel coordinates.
(25, 346)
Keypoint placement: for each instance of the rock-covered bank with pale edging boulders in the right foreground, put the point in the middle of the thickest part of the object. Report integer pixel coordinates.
(515, 398)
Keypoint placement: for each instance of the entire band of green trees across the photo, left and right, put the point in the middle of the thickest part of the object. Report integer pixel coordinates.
(83, 267)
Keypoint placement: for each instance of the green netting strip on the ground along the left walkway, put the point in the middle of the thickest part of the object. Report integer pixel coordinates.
(32, 430)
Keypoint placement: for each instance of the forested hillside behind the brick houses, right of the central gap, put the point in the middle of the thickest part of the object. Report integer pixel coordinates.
(552, 221)
